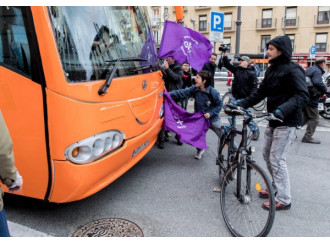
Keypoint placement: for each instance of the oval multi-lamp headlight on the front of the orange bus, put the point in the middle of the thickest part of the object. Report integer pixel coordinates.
(92, 148)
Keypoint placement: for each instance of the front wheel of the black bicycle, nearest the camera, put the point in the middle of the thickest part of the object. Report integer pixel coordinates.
(245, 216)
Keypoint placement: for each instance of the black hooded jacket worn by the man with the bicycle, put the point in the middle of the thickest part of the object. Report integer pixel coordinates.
(284, 86)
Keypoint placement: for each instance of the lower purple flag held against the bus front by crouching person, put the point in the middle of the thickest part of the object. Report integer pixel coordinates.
(191, 128)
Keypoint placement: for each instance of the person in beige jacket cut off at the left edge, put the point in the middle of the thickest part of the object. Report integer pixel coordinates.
(9, 175)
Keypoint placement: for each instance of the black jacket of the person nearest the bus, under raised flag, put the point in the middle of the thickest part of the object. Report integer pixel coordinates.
(173, 77)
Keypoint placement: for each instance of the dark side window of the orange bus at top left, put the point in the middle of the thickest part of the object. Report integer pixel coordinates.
(15, 50)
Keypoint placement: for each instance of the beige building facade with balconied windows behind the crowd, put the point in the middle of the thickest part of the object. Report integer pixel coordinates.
(305, 25)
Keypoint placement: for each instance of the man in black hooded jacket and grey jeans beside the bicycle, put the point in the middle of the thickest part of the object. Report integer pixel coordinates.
(285, 87)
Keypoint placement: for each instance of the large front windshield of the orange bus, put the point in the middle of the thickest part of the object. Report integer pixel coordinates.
(90, 39)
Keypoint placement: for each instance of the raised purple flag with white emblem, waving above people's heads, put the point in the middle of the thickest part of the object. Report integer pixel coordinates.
(184, 44)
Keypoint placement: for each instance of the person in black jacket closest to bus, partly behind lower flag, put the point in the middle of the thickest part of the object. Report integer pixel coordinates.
(173, 81)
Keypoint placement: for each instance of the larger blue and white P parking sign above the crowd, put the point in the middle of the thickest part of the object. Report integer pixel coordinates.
(216, 26)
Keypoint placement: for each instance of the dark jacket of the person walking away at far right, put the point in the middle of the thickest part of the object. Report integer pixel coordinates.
(315, 73)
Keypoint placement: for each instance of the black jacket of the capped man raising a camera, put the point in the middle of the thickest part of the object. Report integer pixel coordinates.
(245, 80)
